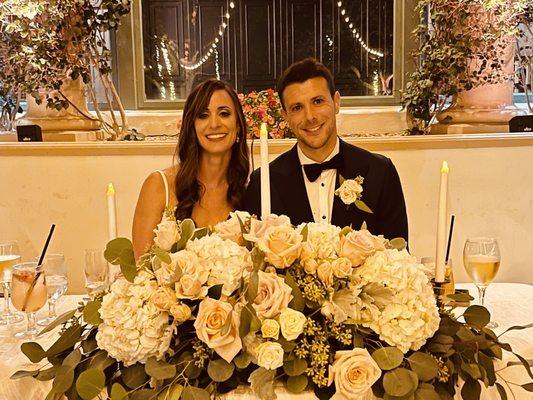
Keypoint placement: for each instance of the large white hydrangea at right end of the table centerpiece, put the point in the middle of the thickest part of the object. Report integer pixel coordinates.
(410, 316)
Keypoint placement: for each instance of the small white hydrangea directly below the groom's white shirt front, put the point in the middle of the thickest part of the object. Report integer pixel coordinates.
(322, 240)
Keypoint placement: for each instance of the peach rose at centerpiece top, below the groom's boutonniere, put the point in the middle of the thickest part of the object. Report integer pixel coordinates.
(359, 245)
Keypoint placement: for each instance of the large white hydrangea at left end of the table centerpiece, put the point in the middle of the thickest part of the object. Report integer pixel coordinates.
(133, 328)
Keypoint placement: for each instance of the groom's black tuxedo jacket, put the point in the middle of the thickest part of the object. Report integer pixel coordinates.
(382, 192)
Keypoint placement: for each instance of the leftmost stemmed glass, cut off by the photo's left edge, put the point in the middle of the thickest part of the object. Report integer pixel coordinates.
(9, 256)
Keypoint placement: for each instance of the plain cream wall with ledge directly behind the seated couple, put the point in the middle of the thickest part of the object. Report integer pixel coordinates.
(490, 188)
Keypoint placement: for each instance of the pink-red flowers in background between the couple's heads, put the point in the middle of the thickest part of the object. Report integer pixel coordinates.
(264, 107)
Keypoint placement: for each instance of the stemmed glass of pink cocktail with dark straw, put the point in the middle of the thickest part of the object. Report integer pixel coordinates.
(29, 294)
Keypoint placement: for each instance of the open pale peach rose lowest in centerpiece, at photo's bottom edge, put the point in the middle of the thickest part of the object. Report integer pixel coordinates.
(354, 372)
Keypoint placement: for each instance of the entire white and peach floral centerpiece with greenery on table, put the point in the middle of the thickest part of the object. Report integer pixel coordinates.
(339, 312)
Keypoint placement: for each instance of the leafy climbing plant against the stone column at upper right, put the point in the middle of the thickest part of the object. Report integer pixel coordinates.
(463, 45)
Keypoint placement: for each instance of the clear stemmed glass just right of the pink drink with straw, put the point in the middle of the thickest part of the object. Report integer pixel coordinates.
(56, 284)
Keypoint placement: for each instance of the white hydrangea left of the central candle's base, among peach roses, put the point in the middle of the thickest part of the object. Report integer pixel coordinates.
(226, 261)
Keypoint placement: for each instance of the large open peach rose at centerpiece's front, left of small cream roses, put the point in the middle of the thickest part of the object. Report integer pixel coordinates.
(209, 325)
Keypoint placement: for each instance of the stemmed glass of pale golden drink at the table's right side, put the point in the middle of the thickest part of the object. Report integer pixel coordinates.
(481, 257)
